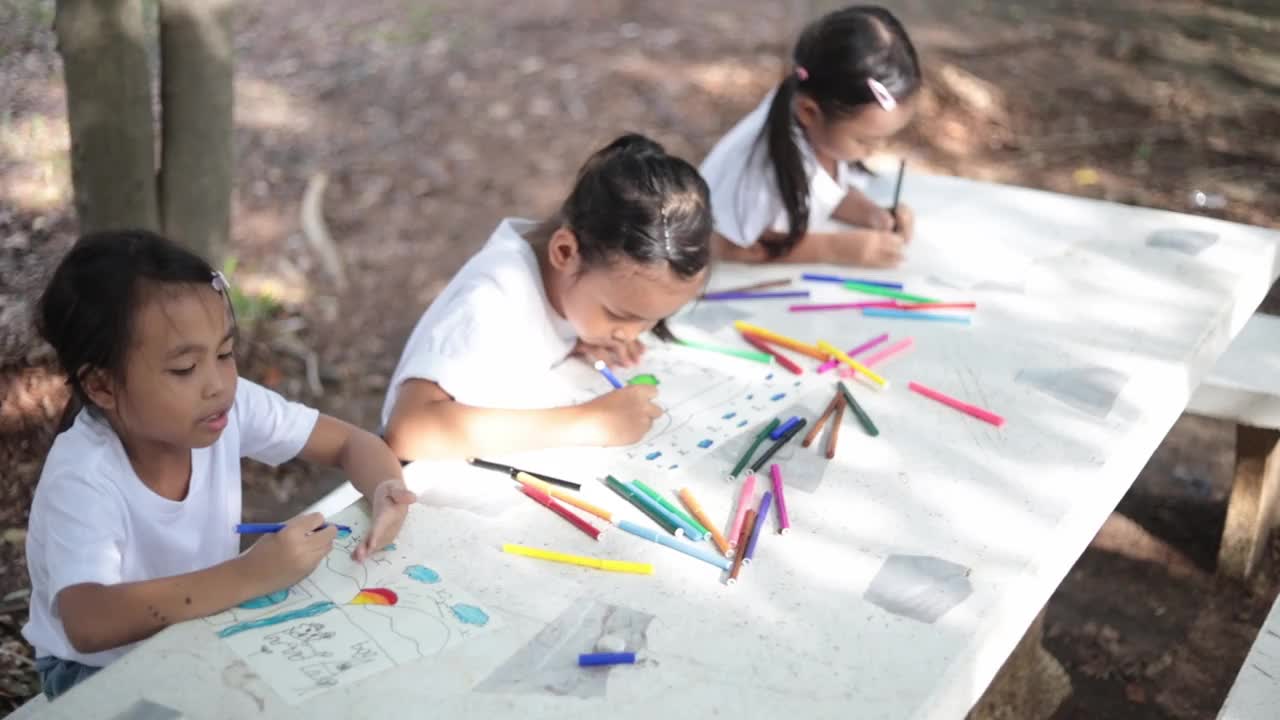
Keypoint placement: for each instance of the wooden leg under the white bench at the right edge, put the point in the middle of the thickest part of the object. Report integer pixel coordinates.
(1251, 509)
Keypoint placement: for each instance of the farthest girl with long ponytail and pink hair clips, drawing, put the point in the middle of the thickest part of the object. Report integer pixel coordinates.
(796, 162)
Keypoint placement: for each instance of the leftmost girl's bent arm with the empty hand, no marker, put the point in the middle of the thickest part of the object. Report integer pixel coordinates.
(372, 468)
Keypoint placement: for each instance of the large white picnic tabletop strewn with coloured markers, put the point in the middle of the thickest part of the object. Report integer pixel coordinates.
(1095, 323)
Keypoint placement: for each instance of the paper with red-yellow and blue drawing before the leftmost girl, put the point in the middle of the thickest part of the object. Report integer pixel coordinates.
(348, 622)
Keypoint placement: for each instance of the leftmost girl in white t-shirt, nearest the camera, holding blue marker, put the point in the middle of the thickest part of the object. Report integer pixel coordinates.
(134, 523)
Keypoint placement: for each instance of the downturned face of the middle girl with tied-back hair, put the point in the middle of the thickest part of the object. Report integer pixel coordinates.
(616, 303)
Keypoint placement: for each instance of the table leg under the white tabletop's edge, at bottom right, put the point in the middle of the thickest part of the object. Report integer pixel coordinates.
(1030, 686)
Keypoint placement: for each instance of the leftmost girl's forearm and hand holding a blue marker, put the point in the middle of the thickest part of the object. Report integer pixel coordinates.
(99, 617)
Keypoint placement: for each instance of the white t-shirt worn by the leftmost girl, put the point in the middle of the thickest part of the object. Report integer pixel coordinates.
(93, 521)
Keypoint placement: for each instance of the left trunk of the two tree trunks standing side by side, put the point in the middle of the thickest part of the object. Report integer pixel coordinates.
(109, 112)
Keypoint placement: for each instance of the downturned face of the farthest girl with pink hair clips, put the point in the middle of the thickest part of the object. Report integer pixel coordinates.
(853, 138)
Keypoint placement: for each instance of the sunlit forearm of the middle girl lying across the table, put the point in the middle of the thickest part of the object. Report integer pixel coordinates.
(428, 423)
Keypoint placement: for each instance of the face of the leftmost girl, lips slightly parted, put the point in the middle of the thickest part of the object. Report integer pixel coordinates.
(180, 377)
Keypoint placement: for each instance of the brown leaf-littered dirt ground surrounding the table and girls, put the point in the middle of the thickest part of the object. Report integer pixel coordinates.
(433, 120)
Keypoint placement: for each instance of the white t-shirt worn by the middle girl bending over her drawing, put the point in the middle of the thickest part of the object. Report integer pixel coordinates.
(491, 338)
